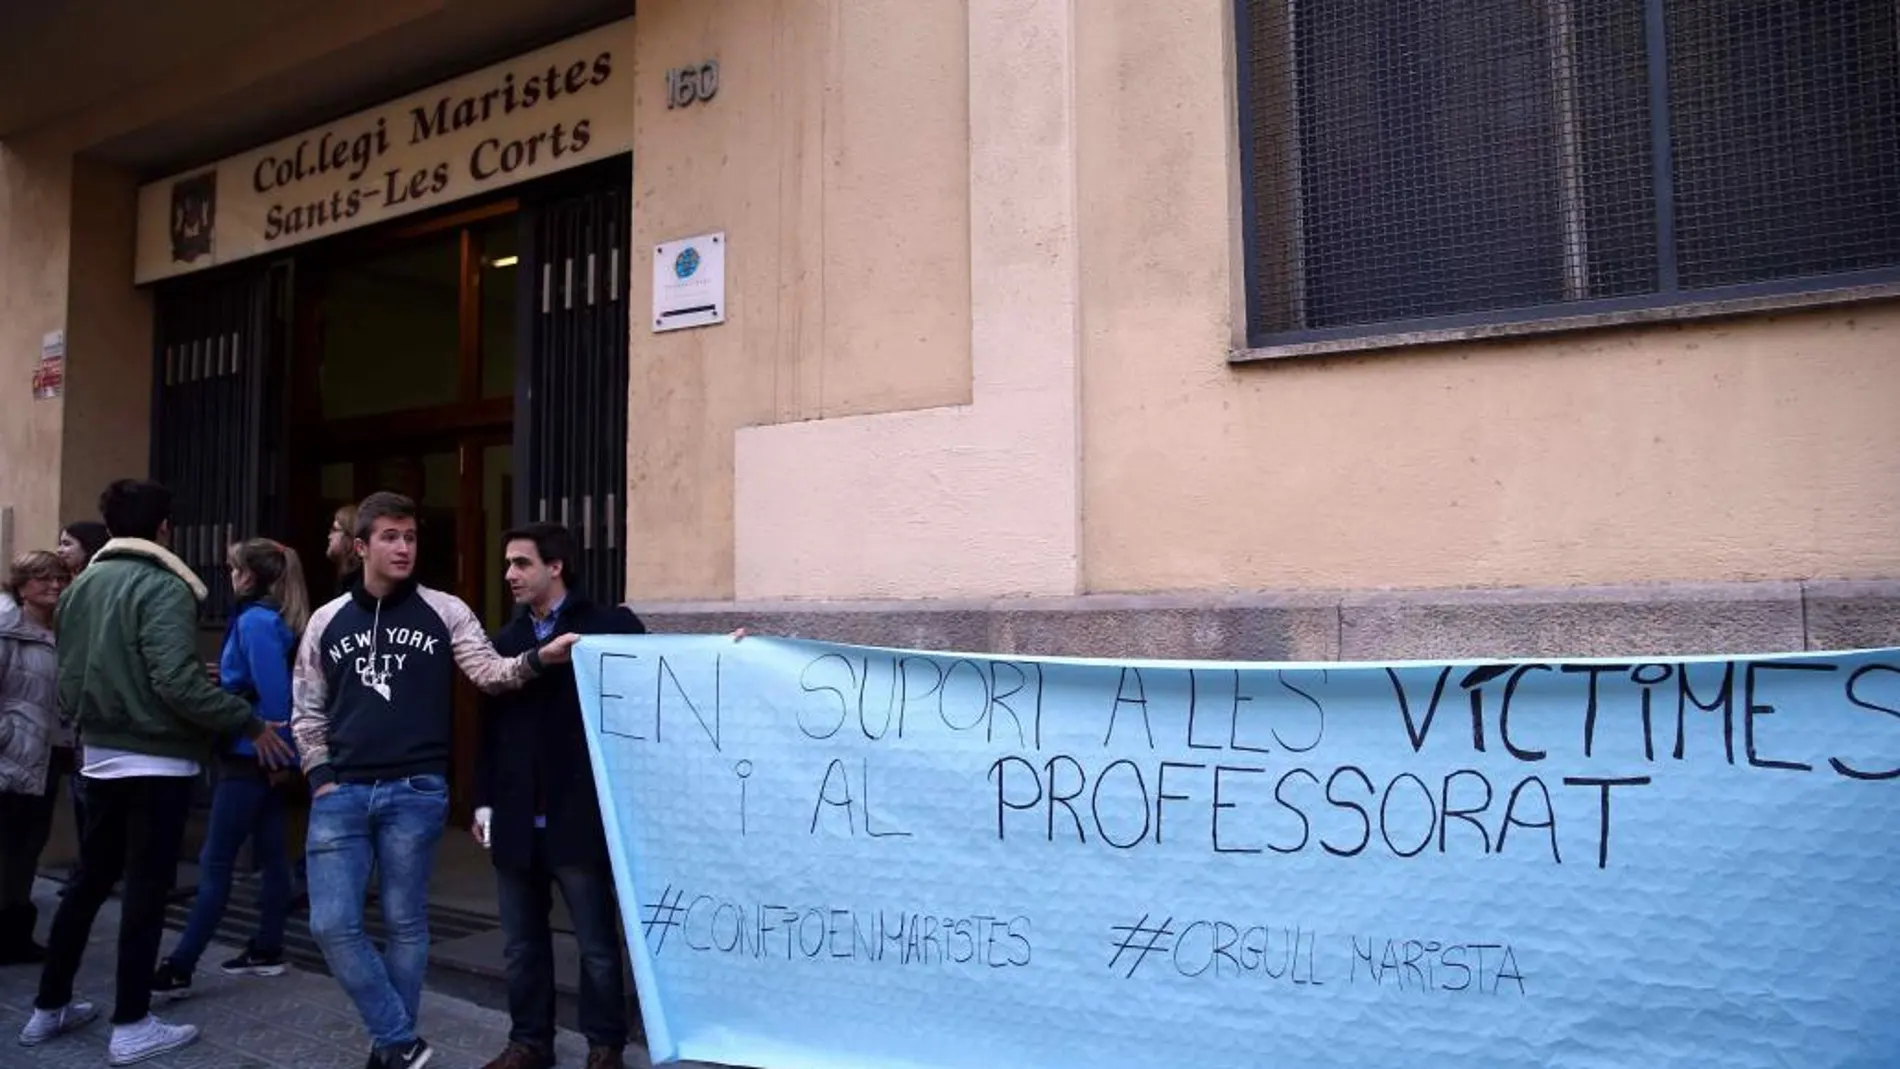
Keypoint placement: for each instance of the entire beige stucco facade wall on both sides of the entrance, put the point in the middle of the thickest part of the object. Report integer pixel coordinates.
(981, 293)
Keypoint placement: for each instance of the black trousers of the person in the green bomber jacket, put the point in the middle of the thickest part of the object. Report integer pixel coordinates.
(134, 829)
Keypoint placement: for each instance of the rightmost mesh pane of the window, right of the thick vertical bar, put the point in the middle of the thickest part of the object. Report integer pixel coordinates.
(1787, 122)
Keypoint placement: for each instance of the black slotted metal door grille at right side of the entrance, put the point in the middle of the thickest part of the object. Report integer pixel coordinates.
(575, 438)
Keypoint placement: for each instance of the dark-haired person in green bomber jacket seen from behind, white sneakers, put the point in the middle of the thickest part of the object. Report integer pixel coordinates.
(134, 683)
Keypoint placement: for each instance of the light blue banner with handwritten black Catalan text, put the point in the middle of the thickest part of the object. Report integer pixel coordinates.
(867, 859)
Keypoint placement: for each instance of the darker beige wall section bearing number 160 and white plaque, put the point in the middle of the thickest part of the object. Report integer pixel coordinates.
(835, 157)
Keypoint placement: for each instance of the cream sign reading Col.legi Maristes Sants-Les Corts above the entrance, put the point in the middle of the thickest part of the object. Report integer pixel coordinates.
(525, 119)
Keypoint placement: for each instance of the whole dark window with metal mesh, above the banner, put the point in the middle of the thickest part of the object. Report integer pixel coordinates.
(1441, 162)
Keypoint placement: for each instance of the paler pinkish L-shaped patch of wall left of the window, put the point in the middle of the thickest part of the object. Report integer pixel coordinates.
(978, 500)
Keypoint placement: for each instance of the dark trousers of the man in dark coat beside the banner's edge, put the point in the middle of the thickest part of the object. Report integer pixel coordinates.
(527, 901)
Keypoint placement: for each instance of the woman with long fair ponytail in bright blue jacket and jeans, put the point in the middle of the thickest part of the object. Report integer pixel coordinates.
(273, 610)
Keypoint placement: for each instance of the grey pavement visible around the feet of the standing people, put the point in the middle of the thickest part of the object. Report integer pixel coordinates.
(299, 1021)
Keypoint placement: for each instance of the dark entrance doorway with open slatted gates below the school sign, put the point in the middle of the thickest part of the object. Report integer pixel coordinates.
(474, 362)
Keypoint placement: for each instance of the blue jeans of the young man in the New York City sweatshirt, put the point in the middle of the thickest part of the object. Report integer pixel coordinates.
(390, 827)
